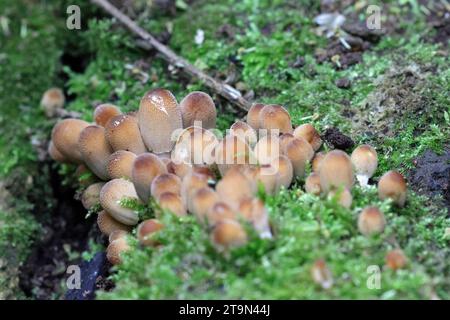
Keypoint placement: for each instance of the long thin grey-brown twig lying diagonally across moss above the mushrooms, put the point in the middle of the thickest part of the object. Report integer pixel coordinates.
(225, 90)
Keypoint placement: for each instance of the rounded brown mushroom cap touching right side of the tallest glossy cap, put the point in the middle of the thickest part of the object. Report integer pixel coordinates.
(198, 107)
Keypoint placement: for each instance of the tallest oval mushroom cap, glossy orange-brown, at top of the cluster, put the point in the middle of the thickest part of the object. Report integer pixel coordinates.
(159, 119)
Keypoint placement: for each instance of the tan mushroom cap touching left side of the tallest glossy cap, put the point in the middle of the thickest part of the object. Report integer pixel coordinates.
(122, 133)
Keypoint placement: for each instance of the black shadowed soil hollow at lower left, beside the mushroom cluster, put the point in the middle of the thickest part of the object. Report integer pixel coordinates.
(65, 234)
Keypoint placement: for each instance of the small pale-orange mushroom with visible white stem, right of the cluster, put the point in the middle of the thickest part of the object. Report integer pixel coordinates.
(365, 161)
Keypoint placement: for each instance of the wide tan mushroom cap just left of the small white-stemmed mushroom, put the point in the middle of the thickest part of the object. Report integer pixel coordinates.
(336, 171)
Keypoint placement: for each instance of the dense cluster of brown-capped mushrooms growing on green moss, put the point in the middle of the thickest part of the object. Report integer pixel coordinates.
(171, 153)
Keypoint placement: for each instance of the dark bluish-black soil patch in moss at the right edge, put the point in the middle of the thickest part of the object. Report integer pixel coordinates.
(432, 175)
